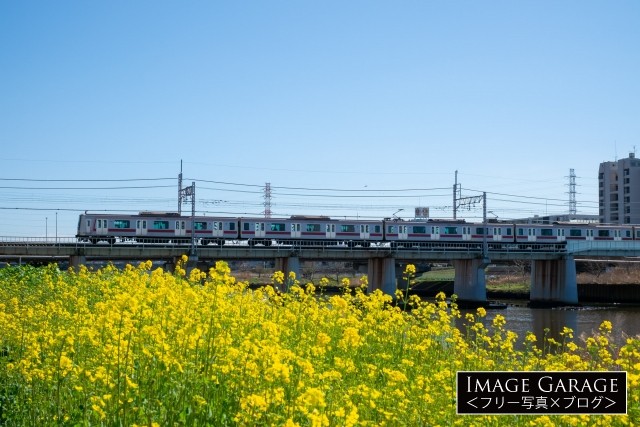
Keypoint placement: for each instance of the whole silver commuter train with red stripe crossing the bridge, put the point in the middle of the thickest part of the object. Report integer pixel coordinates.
(170, 227)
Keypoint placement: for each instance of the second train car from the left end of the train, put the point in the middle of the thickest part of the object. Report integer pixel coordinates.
(309, 230)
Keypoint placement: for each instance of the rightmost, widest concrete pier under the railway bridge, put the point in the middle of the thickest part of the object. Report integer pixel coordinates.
(553, 282)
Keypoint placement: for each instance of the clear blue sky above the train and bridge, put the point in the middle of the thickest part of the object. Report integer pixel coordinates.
(347, 108)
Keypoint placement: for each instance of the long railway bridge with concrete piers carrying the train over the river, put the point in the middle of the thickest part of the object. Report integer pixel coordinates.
(553, 270)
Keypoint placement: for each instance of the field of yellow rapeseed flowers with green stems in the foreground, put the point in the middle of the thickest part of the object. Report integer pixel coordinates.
(150, 348)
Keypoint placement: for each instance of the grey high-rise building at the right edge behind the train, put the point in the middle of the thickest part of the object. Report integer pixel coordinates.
(619, 187)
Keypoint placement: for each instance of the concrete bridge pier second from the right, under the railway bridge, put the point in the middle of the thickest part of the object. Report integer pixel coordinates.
(469, 283)
